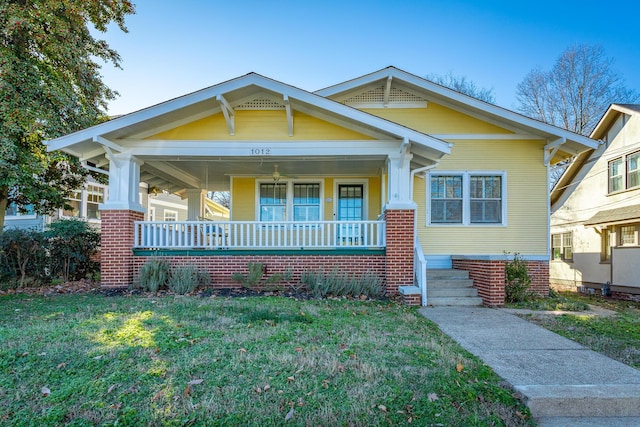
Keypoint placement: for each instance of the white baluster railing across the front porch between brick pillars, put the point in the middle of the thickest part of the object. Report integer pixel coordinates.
(260, 235)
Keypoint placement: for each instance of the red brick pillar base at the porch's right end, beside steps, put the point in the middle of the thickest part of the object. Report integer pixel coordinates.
(400, 241)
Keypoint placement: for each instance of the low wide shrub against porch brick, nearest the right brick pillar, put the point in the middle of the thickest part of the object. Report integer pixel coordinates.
(339, 283)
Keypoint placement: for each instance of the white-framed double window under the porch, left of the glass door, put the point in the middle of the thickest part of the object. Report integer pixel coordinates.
(289, 201)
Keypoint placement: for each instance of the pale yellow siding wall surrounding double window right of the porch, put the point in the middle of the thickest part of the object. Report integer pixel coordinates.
(527, 215)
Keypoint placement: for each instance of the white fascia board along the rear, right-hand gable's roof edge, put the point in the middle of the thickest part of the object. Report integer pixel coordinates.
(473, 103)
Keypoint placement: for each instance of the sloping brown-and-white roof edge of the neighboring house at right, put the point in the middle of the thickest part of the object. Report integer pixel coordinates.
(607, 119)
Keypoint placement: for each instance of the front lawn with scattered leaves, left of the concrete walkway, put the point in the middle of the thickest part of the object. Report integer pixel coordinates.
(213, 361)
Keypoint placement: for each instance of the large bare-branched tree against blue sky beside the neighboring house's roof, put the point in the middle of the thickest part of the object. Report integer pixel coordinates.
(576, 91)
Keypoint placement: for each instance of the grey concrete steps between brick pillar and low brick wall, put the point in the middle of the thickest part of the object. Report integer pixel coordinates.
(448, 287)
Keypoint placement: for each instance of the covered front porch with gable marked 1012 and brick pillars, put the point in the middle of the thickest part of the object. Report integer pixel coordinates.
(313, 183)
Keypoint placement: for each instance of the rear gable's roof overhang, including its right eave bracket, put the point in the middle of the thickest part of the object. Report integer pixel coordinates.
(571, 144)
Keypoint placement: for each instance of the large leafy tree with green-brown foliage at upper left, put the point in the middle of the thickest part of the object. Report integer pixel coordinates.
(50, 85)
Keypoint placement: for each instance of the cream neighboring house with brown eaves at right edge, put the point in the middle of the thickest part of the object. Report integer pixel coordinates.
(595, 211)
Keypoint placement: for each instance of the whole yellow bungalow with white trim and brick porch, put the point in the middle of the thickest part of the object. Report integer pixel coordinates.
(387, 172)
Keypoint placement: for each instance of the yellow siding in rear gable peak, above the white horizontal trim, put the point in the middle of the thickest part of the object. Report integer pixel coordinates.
(436, 119)
